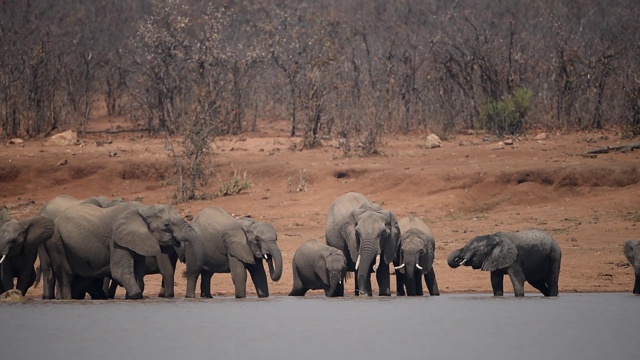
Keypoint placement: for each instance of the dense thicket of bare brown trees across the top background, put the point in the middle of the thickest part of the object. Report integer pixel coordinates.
(352, 70)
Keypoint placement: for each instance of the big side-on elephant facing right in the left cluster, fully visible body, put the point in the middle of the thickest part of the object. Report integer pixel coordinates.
(93, 243)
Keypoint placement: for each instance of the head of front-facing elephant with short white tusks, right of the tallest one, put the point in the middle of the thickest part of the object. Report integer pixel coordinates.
(415, 257)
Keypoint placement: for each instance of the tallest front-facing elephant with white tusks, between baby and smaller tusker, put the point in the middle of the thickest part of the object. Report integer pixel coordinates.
(368, 236)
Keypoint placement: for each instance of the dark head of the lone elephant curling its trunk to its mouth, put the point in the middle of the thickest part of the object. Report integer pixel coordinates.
(487, 252)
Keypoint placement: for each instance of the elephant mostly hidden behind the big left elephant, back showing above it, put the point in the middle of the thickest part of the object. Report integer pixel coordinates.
(52, 209)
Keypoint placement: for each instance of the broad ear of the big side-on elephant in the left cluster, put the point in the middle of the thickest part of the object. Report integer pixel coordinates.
(130, 231)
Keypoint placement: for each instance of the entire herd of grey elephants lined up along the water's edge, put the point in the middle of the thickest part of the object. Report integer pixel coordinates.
(91, 246)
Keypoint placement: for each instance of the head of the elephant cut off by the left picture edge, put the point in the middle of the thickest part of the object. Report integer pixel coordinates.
(22, 237)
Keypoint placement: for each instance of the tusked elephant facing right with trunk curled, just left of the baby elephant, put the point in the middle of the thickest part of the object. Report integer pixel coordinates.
(237, 247)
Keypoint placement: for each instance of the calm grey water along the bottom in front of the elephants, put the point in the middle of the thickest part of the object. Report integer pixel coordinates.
(572, 326)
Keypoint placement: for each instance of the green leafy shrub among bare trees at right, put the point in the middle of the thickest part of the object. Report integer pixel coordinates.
(507, 117)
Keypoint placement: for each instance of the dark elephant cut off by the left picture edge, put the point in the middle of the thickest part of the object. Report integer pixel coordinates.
(19, 243)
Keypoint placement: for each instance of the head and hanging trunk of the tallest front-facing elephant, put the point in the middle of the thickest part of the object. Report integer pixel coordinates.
(372, 238)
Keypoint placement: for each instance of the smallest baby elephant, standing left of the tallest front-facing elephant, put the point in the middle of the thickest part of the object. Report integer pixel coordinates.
(318, 266)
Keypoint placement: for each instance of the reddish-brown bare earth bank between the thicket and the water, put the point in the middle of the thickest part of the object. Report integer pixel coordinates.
(471, 185)
